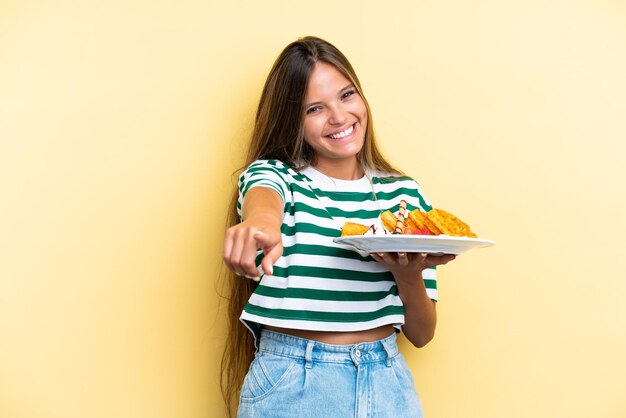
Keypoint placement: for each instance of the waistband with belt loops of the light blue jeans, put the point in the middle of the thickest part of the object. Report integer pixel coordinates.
(315, 351)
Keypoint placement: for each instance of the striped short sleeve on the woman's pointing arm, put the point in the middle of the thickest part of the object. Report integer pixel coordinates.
(263, 173)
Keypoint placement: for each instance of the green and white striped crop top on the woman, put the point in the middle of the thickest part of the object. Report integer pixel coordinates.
(318, 284)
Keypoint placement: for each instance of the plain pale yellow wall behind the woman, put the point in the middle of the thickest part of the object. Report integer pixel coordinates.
(121, 122)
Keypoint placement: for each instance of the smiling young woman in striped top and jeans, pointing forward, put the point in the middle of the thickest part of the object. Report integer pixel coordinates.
(319, 319)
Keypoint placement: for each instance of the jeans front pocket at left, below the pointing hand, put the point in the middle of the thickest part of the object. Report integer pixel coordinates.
(267, 372)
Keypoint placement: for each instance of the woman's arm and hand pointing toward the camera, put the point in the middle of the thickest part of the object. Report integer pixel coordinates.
(262, 218)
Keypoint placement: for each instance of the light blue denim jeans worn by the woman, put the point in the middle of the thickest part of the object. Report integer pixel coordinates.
(295, 377)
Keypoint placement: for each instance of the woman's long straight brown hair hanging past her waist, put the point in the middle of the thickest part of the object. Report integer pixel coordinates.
(278, 134)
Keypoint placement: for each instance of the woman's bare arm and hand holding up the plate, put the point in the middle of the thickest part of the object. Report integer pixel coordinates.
(420, 314)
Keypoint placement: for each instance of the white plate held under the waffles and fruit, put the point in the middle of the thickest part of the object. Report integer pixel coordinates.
(433, 244)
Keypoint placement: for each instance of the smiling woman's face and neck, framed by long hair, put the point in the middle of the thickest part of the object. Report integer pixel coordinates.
(335, 120)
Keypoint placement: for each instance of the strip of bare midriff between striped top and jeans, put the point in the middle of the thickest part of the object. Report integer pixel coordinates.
(338, 338)
